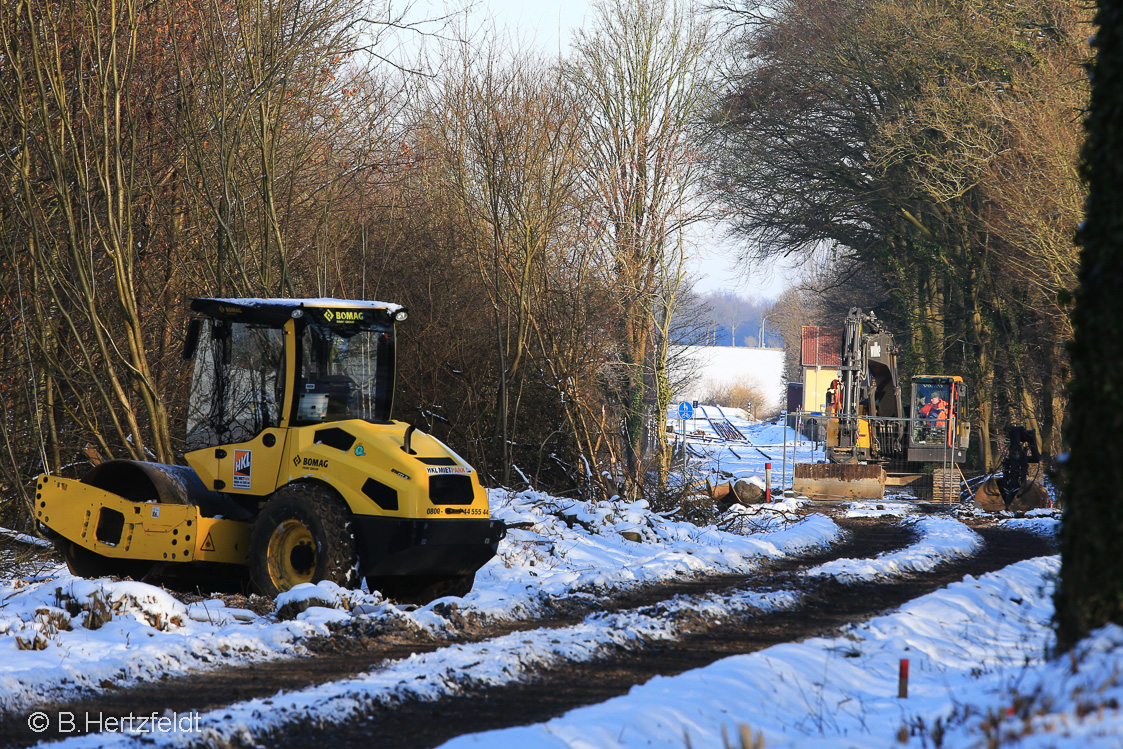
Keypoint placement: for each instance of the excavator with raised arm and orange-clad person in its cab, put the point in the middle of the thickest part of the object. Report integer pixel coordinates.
(869, 427)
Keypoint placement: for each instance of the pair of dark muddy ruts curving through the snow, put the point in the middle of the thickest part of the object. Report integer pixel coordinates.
(345, 656)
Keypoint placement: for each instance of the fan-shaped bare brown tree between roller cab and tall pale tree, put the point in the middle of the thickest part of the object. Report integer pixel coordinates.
(510, 141)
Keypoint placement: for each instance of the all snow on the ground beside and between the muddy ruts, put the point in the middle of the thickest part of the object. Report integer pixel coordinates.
(978, 651)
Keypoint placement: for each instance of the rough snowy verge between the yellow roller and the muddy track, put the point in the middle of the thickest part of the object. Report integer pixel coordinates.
(60, 635)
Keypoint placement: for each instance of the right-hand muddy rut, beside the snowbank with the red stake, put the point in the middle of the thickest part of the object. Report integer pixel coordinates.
(828, 606)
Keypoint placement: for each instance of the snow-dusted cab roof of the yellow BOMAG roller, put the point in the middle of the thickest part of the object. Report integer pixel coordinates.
(277, 312)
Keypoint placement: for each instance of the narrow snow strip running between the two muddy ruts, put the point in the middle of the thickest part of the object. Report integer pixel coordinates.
(509, 659)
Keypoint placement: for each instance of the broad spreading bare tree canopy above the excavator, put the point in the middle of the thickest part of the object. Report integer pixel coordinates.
(933, 145)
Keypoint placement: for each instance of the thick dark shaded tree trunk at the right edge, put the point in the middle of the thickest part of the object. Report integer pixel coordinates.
(1091, 590)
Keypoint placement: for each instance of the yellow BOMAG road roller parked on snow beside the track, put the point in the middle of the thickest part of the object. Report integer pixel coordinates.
(296, 471)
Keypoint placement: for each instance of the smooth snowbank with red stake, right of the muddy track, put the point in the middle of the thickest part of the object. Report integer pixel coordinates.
(979, 678)
